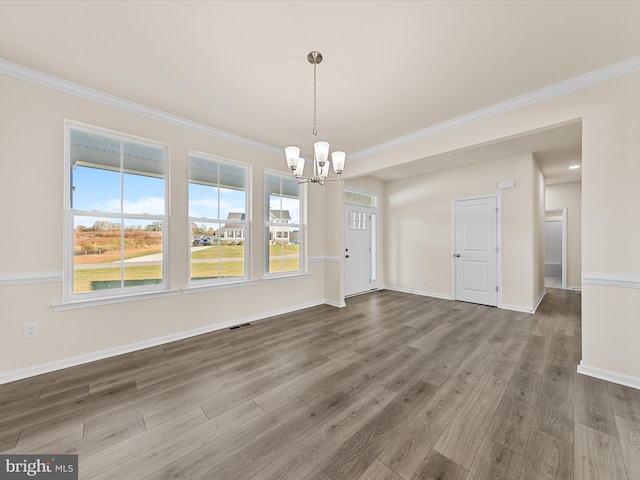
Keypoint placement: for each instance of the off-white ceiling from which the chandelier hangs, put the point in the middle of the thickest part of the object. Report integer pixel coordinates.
(390, 67)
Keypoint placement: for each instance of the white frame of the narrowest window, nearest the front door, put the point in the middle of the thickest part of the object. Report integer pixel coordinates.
(301, 228)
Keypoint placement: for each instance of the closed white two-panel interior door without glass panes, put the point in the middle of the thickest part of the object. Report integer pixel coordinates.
(475, 253)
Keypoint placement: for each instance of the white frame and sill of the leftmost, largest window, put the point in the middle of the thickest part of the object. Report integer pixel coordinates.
(94, 297)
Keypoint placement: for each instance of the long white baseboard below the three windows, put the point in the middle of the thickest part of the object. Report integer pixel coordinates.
(12, 376)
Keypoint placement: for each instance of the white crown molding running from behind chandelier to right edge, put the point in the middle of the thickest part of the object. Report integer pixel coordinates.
(603, 74)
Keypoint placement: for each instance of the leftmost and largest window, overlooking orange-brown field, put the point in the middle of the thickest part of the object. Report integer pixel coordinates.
(116, 214)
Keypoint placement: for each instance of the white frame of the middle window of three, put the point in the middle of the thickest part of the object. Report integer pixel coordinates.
(246, 222)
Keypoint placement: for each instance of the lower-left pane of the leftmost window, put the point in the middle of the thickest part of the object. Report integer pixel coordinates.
(97, 253)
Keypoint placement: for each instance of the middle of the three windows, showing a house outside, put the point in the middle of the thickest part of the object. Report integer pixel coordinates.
(218, 219)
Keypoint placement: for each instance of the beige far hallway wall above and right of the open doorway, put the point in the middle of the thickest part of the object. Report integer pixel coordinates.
(569, 196)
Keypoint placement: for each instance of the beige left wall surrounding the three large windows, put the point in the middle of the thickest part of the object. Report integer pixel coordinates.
(31, 194)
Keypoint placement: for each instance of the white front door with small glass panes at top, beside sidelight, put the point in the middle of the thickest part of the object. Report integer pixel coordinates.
(358, 265)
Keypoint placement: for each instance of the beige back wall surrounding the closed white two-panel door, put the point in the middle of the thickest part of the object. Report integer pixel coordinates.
(417, 231)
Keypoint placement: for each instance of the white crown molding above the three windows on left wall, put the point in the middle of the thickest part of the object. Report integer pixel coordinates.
(55, 83)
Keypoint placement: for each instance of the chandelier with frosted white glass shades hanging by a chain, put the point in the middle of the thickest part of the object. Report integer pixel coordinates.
(320, 149)
